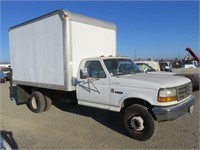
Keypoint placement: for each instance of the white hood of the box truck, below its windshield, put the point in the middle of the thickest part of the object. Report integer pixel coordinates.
(149, 80)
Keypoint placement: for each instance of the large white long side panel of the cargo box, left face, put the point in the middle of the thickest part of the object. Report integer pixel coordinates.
(36, 52)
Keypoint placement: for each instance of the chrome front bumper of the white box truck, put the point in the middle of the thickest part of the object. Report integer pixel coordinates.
(175, 111)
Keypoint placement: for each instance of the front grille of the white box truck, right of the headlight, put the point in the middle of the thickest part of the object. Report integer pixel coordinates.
(184, 91)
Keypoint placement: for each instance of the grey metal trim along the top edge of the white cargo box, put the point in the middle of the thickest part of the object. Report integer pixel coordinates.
(71, 16)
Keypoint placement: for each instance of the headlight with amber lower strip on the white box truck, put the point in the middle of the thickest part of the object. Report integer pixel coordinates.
(167, 95)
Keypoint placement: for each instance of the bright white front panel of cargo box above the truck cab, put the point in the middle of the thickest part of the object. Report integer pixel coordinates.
(91, 41)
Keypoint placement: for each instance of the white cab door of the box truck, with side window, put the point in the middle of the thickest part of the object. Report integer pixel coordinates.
(94, 90)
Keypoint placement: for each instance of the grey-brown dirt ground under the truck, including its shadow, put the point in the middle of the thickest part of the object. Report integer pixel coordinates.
(69, 126)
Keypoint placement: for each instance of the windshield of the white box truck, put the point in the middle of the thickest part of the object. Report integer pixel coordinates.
(121, 66)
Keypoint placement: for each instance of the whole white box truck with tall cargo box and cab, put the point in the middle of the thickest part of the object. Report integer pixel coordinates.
(60, 55)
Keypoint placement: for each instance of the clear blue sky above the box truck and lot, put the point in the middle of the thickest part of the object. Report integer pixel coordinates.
(145, 29)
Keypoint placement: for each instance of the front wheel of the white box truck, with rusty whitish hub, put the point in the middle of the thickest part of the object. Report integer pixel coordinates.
(139, 123)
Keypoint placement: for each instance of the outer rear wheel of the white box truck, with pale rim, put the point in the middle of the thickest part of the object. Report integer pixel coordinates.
(36, 102)
